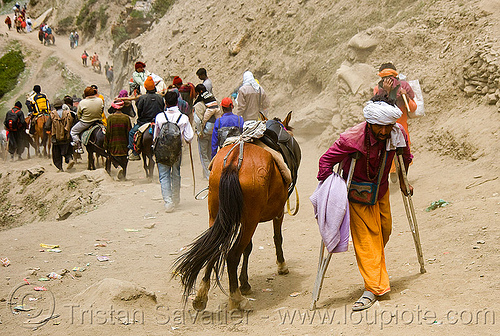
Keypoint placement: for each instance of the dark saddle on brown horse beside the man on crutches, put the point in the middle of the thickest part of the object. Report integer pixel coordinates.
(276, 137)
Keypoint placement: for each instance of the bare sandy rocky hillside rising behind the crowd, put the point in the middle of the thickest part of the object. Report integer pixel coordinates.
(320, 58)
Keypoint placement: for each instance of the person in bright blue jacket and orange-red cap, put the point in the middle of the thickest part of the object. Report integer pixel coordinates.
(226, 126)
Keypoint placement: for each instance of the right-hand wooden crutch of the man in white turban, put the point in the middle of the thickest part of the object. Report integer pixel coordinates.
(410, 210)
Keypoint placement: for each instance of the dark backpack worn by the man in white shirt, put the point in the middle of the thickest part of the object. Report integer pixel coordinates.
(168, 145)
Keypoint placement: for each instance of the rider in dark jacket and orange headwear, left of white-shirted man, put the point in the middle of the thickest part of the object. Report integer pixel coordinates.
(148, 106)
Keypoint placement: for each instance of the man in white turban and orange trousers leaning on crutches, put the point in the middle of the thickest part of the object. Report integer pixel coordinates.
(376, 140)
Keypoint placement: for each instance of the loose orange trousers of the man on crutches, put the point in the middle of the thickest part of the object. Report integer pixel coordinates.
(371, 227)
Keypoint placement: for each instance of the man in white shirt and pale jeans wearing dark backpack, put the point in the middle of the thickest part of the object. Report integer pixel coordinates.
(170, 176)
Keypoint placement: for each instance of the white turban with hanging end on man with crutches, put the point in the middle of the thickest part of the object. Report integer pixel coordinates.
(381, 113)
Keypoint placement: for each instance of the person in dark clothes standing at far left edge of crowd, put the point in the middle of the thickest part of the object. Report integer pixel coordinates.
(14, 123)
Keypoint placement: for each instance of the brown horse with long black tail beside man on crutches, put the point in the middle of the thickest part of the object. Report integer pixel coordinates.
(239, 198)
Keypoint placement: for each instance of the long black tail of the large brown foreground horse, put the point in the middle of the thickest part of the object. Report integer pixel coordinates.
(212, 246)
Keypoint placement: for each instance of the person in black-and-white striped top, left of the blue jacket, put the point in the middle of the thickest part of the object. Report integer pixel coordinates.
(206, 111)
